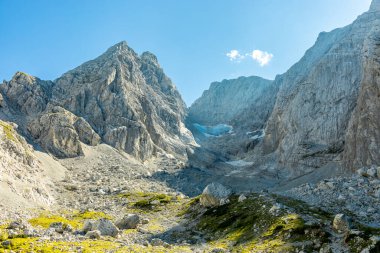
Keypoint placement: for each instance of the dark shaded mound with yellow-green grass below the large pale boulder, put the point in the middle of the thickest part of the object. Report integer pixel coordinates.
(248, 226)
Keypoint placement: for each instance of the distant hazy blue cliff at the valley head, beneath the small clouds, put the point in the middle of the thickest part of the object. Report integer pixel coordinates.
(246, 101)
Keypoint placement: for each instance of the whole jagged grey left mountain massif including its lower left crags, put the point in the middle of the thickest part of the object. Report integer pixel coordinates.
(120, 98)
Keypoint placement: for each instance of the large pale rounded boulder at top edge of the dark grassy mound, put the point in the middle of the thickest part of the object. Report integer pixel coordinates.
(215, 194)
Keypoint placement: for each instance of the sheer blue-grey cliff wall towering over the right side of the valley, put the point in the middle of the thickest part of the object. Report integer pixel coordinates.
(318, 96)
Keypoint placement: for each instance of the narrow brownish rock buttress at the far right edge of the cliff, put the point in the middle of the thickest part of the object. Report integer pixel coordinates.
(363, 135)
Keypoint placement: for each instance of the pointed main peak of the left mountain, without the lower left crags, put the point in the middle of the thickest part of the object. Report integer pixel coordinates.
(128, 100)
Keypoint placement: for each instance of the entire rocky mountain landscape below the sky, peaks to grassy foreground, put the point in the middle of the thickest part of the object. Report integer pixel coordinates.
(108, 158)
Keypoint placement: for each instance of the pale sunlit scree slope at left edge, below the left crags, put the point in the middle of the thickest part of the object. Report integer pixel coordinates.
(24, 173)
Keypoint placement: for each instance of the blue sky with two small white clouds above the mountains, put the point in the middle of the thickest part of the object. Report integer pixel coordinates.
(191, 38)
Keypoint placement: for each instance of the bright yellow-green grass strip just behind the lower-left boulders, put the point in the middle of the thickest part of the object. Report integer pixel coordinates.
(74, 219)
